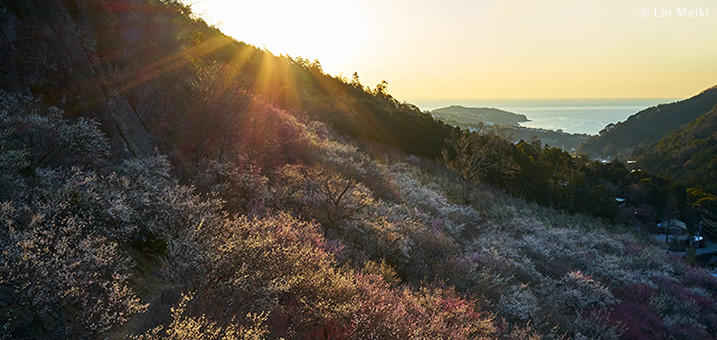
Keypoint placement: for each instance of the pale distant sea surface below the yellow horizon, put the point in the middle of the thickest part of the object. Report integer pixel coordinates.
(571, 115)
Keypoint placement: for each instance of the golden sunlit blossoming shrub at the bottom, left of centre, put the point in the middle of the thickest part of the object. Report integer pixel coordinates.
(275, 265)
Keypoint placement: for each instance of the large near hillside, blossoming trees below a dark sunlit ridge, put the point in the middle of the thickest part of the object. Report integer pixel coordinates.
(163, 181)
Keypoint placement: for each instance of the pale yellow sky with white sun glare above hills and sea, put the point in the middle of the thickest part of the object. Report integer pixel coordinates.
(458, 49)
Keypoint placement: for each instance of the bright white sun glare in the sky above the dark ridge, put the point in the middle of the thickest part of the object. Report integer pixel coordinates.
(327, 30)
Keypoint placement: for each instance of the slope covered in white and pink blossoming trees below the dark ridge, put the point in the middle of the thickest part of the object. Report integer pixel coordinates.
(310, 251)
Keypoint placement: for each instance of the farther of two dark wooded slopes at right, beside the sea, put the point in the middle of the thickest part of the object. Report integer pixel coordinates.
(648, 126)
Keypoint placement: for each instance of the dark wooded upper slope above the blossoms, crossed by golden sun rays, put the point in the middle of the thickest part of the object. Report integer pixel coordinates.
(112, 59)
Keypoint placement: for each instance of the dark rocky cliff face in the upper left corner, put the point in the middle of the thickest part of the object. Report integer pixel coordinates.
(49, 50)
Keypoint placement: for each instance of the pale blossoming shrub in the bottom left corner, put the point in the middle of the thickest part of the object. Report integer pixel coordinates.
(65, 278)
